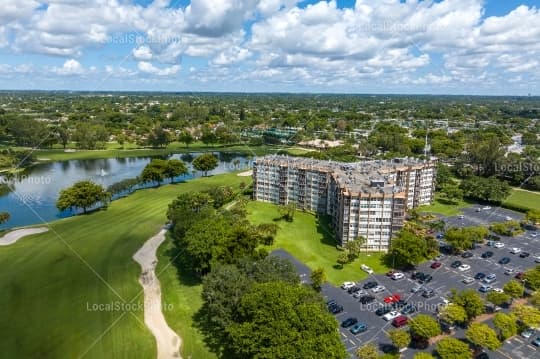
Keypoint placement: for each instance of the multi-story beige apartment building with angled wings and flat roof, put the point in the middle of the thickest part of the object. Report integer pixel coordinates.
(367, 199)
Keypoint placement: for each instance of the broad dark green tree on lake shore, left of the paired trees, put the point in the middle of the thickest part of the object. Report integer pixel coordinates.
(82, 194)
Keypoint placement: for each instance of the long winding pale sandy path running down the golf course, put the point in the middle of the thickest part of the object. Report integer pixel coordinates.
(168, 342)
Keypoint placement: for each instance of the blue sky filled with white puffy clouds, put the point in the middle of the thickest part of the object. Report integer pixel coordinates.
(352, 46)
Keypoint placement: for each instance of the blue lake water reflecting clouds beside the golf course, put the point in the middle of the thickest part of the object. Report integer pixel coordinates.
(36, 191)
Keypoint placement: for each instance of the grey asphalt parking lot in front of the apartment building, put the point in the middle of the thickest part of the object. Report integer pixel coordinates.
(444, 279)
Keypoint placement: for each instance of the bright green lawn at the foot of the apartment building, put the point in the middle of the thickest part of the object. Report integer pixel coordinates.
(312, 242)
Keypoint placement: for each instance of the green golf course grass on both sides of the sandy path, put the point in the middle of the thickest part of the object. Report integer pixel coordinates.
(50, 286)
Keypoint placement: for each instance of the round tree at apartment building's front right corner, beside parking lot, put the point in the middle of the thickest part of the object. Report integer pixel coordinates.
(408, 248)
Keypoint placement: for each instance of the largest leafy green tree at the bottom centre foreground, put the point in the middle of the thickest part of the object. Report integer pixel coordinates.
(270, 314)
